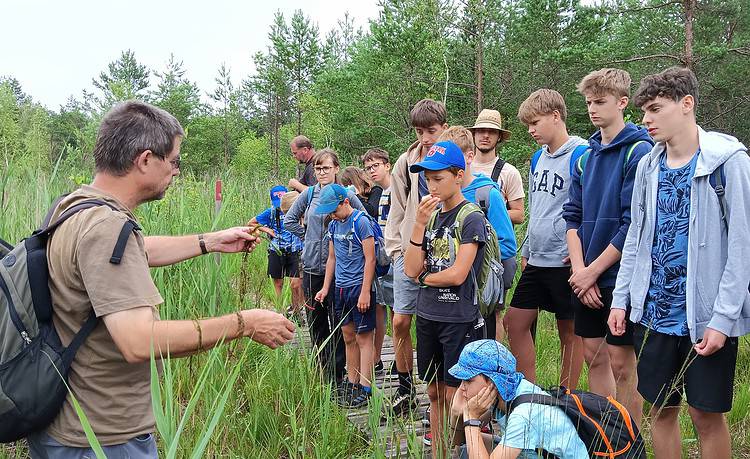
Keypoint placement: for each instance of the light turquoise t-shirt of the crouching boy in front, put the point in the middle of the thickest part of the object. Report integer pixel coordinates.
(532, 426)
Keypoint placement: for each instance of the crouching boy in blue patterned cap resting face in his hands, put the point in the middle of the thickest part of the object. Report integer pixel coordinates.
(489, 382)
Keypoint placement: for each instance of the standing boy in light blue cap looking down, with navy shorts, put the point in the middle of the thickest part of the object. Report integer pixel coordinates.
(351, 261)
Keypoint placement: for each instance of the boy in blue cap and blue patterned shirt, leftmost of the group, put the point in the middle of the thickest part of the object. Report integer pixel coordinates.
(283, 250)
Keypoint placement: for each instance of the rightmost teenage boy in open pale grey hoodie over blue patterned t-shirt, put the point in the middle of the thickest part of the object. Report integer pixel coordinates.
(684, 270)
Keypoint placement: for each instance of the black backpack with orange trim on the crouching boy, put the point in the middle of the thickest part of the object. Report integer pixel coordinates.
(603, 424)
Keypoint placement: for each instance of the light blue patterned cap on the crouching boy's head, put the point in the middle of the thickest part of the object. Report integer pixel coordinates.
(492, 359)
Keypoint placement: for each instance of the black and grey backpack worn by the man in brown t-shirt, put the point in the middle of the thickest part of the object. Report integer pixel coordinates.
(34, 365)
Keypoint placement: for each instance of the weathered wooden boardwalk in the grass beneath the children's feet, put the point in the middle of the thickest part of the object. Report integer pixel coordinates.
(393, 433)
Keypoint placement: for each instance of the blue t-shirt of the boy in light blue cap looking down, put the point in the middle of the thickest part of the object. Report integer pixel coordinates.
(350, 258)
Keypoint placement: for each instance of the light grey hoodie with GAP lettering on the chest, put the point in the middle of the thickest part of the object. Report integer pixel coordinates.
(545, 244)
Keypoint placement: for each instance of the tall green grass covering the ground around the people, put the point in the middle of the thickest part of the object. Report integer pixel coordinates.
(244, 400)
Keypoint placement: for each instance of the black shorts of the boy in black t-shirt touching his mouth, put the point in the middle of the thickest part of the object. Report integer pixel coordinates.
(438, 346)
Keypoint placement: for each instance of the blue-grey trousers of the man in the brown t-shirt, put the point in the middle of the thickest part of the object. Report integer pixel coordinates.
(42, 446)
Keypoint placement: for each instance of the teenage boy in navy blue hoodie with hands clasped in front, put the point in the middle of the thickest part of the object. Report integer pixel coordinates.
(597, 218)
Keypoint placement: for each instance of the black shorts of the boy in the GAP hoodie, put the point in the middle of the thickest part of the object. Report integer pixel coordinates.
(545, 288)
